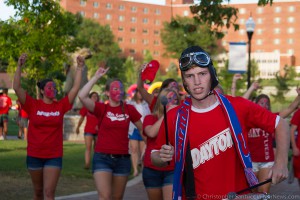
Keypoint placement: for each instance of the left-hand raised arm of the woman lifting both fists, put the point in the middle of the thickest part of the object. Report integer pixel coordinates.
(20, 92)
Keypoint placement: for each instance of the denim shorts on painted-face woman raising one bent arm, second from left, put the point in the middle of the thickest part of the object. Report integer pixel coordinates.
(118, 165)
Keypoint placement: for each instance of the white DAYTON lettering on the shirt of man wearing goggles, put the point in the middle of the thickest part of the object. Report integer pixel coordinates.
(211, 148)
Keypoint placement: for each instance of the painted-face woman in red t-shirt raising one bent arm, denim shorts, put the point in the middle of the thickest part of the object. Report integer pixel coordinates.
(111, 160)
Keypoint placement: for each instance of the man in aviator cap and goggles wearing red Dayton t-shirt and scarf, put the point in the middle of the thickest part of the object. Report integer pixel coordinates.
(208, 136)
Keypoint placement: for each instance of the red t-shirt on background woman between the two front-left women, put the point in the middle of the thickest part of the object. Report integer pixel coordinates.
(91, 125)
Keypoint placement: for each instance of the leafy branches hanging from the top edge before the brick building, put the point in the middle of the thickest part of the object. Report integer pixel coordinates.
(217, 15)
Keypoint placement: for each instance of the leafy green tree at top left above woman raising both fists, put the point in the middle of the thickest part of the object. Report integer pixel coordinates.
(37, 30)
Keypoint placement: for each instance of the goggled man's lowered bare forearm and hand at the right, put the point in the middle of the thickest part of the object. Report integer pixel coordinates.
(279, 171)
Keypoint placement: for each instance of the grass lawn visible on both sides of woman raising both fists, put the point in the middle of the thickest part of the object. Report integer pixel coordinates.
(15, 180)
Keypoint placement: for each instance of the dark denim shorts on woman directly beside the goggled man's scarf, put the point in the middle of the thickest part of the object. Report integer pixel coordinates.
(157, 179)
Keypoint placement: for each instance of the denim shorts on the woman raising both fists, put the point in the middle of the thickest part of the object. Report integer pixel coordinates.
(34, 163)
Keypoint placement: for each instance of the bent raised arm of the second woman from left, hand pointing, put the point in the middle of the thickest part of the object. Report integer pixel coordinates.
(84, 92)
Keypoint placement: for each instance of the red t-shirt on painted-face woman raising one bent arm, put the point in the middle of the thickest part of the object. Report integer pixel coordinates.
(114, 125)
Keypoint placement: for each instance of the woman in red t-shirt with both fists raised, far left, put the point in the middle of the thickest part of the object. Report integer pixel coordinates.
(45, 130)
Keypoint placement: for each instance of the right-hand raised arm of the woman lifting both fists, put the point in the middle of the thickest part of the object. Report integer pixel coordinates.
(77, 80)
